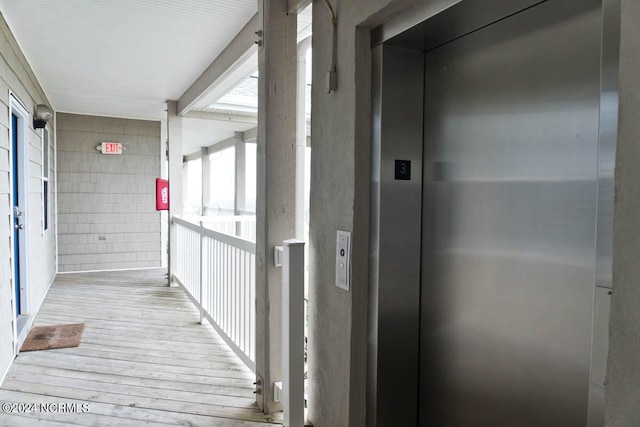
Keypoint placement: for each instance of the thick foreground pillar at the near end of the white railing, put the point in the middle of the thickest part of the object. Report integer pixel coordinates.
(275, 203)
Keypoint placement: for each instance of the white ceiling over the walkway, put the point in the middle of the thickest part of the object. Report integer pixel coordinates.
(122, 58)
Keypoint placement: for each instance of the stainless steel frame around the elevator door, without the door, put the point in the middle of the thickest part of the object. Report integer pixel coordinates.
(432, 21)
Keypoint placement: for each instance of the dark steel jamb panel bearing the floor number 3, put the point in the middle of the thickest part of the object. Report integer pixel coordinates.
(394, 293)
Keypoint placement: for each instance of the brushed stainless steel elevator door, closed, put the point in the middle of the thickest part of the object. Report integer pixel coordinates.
(509, 219)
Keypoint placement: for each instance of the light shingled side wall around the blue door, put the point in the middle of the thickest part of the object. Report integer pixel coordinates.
(16, 76)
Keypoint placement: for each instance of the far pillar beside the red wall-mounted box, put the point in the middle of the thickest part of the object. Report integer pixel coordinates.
(174, 130)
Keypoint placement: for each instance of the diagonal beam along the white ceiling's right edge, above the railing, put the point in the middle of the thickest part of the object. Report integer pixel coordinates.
(235, 52)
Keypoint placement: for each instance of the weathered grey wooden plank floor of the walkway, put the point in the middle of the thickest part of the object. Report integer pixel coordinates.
(143, 360)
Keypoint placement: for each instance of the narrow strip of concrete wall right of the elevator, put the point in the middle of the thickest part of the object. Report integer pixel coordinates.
(623, 379)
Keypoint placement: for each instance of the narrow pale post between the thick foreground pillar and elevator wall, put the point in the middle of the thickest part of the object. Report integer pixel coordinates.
(301, 134)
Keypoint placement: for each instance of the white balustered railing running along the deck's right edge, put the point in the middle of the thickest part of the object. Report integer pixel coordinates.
(217, 271)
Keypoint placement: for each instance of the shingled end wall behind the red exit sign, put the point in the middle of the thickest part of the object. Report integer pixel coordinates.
(106, 203)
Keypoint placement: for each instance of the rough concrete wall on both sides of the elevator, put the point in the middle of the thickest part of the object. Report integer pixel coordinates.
(340, 200)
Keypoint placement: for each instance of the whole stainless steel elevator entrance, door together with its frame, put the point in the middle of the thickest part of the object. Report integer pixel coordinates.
(520, 122)
